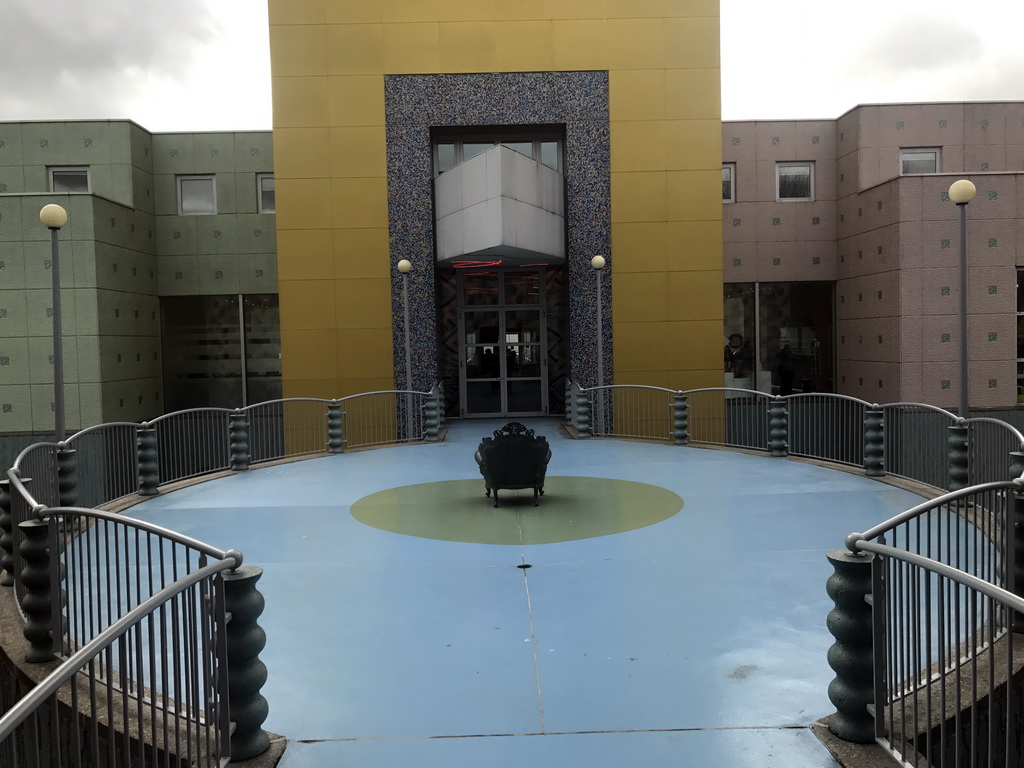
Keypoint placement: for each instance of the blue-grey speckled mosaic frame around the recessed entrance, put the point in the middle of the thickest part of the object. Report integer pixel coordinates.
(414, 105)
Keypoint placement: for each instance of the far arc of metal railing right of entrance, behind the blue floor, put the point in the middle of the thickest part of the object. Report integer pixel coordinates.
(908, 440)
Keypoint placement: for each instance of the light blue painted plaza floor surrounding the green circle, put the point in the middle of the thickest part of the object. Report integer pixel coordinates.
(697, 642)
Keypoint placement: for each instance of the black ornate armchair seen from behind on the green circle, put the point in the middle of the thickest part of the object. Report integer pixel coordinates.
(514, 459)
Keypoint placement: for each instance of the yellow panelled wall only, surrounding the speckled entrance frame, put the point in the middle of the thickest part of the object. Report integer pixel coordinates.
(662, 57)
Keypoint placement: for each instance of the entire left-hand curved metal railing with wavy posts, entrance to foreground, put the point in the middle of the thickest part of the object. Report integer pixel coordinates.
(139, 611)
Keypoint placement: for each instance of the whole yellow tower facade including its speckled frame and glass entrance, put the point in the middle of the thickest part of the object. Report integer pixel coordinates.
(375, 101)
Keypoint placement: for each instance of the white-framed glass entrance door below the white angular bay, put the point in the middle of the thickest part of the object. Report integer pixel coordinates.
(502, 344)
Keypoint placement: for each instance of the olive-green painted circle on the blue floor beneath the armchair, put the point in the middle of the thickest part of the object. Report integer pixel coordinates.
(571, 508)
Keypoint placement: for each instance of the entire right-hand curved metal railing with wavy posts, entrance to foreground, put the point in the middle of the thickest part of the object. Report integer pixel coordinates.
(944, 595)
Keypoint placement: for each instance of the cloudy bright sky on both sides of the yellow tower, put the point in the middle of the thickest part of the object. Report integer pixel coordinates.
(203, 65)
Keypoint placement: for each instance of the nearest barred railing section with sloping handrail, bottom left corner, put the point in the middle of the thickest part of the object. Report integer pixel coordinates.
(134, 696)
